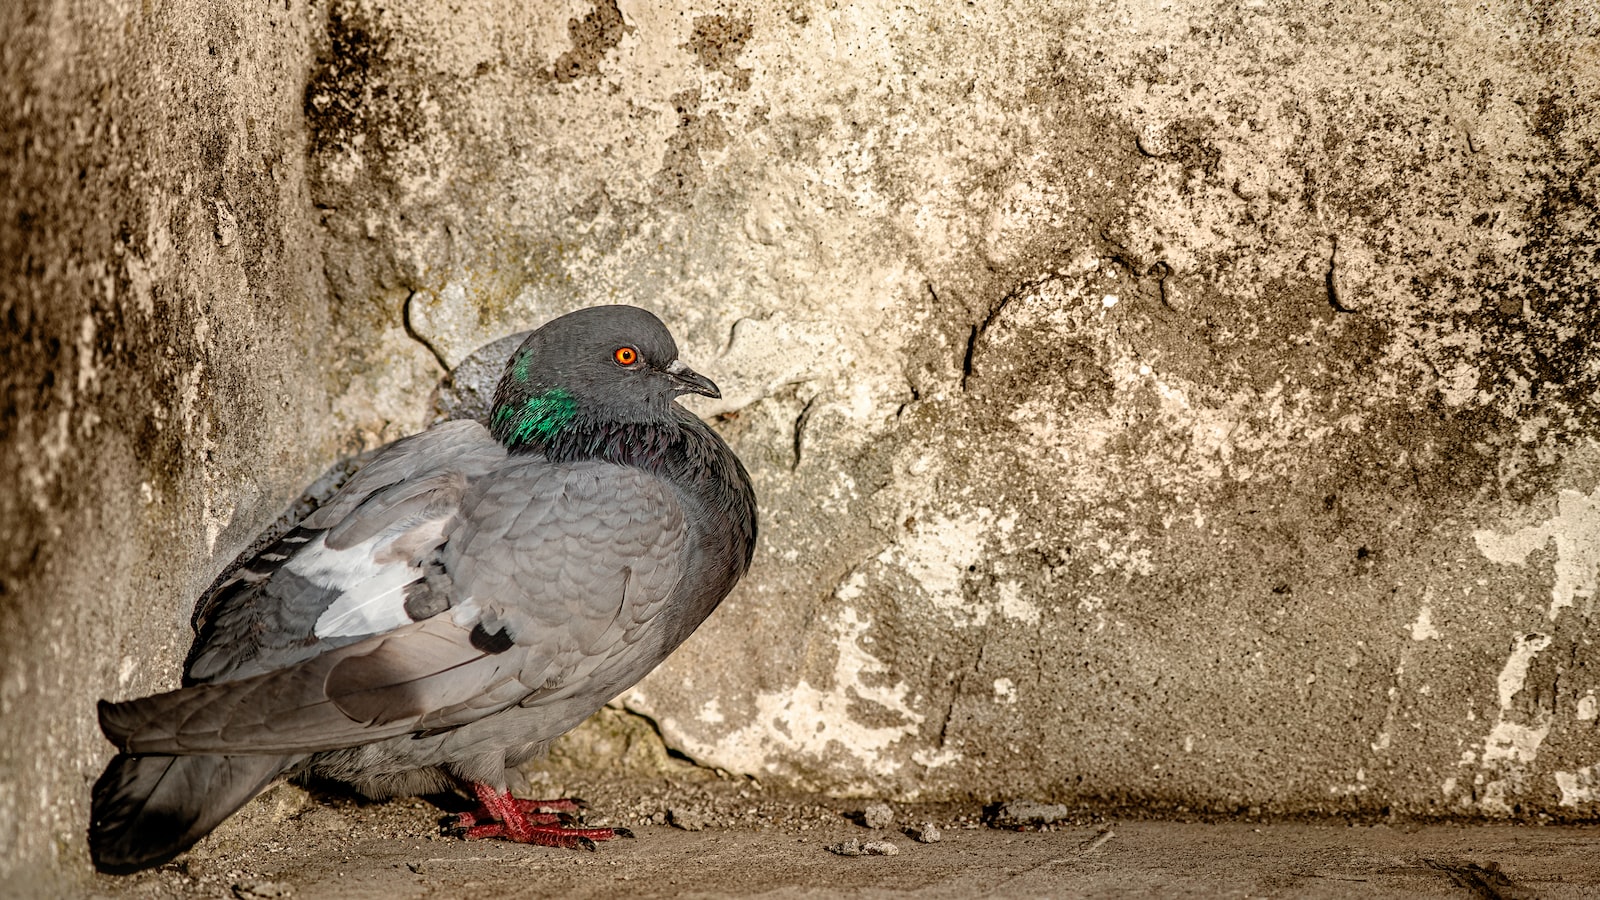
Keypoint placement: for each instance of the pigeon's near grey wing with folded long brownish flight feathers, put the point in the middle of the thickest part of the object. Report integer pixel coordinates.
(556, 571)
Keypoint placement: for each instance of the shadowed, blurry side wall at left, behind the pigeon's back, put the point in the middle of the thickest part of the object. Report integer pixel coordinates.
(174, 372)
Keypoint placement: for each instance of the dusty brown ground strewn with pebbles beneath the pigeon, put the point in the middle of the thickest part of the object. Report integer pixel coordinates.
(753, 843)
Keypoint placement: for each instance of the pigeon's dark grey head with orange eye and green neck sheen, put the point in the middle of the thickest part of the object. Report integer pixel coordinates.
(588, 372)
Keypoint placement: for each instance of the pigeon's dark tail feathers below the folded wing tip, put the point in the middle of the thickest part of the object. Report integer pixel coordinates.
(148, 810)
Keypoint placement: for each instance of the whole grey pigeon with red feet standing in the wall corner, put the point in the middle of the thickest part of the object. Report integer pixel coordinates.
(468, 597)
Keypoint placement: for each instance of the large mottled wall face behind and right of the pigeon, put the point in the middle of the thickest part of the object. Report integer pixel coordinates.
(1180, 408)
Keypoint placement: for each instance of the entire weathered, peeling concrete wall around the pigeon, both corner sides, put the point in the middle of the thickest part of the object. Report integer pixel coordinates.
(1180, 406)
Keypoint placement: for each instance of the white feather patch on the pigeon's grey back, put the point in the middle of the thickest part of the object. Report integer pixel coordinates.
(372, 595)
